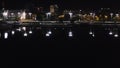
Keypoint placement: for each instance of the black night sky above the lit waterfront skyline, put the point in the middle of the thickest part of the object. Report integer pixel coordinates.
(14, 4)
